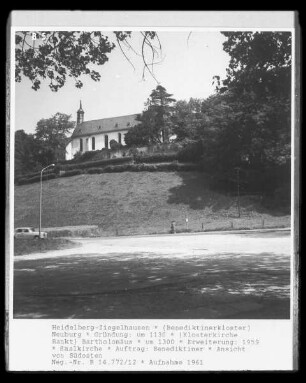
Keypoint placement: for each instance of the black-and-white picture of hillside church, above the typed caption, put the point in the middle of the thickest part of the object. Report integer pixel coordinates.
(152, 174)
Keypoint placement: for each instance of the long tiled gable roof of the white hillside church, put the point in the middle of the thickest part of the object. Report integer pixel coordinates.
(105, 125)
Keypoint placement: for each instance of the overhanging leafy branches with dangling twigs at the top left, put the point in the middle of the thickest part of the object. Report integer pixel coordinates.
(55, 56)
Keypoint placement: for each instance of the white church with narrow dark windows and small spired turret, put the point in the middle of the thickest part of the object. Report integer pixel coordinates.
(97, 134)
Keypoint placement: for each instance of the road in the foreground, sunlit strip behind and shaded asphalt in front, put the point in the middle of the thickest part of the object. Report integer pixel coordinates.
(207, 276)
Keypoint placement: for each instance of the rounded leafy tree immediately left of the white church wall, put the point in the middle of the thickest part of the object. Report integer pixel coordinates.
(51, 133)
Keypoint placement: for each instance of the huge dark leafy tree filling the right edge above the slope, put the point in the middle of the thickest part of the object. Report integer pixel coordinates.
(252, 116)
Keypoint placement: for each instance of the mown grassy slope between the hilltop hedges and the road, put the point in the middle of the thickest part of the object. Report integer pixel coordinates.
(137, 203)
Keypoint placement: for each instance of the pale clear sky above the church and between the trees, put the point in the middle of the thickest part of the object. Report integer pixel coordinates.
(186, 68)
